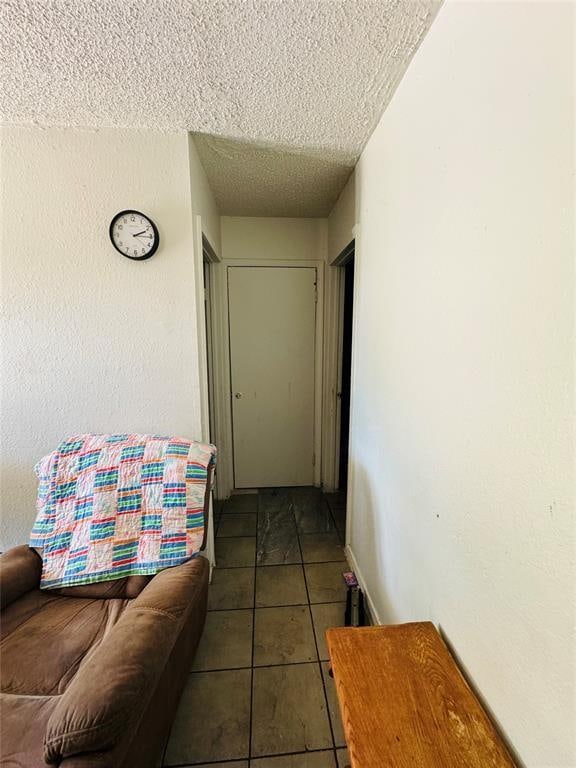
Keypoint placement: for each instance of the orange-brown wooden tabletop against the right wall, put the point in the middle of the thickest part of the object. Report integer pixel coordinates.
(405, 703)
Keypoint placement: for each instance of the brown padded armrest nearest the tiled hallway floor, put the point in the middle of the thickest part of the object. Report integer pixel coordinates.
(111, 690)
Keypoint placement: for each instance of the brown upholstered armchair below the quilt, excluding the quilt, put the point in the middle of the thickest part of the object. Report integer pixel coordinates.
(93, 680)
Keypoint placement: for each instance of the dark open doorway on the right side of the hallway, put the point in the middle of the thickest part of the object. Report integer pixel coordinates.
(346, 372)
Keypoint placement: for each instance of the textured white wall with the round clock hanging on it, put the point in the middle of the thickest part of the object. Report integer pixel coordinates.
(90, 340)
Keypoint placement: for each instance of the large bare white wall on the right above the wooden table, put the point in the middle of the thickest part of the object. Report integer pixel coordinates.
(463, 400)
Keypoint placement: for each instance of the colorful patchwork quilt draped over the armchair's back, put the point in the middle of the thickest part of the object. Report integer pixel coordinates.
(111, 506)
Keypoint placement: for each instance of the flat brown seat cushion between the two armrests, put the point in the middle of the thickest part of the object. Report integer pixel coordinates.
(44, 640)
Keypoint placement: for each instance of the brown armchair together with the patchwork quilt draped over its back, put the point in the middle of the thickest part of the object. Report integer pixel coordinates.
(94, 657)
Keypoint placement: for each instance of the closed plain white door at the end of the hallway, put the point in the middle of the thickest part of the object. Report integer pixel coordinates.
(272, 339)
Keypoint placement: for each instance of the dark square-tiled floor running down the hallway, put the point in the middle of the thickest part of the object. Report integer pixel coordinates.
(259, 693)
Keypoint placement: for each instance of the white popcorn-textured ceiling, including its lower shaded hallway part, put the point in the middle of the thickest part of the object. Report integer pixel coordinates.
(303, 81)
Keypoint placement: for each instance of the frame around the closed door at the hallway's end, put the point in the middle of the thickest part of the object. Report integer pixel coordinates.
(221, 339)
